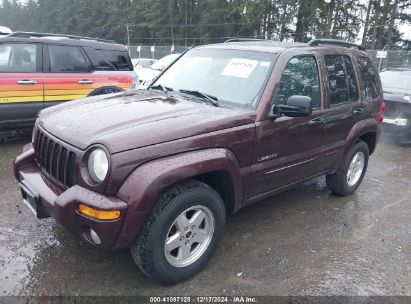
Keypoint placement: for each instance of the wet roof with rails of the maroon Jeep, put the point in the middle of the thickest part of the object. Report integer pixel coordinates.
(271, 46)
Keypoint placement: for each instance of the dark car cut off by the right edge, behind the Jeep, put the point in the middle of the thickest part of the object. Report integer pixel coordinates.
(396, 84)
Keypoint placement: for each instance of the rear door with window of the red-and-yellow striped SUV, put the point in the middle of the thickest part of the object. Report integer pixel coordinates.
(68, 75)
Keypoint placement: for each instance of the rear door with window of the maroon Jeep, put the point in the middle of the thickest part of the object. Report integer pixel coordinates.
(344, 105)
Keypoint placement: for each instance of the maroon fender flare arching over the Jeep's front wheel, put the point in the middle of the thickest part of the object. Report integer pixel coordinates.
(144, 185)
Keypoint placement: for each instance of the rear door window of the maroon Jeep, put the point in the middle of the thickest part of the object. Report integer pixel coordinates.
(341, 79)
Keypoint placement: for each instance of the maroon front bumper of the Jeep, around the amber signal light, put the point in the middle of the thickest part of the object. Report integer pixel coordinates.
(62, 204)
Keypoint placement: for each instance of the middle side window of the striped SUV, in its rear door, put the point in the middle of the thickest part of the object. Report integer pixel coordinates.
(66, 59)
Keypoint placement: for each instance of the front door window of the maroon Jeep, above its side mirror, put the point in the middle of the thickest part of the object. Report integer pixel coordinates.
(300, 77)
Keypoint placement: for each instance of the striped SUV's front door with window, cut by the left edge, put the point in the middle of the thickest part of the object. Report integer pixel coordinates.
(21, 84)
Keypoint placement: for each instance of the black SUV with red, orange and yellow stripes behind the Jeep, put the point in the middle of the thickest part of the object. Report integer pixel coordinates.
(38, 70)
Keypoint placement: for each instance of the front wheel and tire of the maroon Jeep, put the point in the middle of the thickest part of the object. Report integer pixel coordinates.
(149, 250)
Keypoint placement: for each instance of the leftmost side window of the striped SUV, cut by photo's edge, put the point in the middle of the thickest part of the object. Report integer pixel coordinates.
(18, 58)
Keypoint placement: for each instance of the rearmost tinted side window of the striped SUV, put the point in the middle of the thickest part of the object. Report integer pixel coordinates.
(104, 60)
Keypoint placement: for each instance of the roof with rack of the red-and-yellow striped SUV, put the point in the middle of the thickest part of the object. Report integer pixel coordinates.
(109, 46)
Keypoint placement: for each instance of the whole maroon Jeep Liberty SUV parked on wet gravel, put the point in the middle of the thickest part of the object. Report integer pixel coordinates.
(226, 125)
